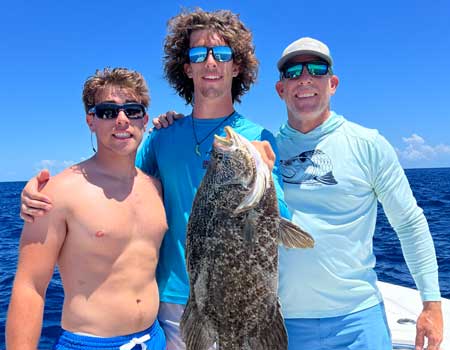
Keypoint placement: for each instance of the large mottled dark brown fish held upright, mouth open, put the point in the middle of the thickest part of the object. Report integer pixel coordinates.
(232, 253)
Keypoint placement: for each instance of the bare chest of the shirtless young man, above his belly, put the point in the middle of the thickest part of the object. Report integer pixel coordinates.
(109, 226)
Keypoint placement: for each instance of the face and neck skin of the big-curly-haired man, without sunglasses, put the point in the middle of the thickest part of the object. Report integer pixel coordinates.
(212, 79)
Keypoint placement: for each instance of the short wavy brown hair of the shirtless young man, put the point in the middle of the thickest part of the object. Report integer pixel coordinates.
(120, 77)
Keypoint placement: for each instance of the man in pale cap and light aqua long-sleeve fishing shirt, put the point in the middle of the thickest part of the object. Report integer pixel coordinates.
(334, 173)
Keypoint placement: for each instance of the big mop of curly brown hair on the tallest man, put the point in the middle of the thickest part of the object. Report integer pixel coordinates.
(230, 28)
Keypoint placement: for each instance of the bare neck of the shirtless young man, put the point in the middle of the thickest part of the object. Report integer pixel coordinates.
(121, 167)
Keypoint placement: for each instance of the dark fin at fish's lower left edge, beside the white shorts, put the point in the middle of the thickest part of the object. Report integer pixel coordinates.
(194, 330)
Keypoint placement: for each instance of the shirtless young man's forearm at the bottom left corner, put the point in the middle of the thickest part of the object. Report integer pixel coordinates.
(24, 322)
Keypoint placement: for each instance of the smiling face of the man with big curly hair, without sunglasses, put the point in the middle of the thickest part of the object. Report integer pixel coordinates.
(212, 80)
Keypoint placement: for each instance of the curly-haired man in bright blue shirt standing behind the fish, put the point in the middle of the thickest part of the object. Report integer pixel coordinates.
(209, 60)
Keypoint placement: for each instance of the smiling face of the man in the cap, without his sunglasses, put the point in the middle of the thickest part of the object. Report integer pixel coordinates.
(307, 97)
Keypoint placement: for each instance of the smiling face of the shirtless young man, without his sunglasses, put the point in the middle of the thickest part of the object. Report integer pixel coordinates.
(120, 135)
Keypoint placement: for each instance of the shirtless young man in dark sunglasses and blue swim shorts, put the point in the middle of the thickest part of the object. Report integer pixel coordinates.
(104, 233)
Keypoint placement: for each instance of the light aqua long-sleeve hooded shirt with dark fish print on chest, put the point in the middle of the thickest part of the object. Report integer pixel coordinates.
(333, 177)
